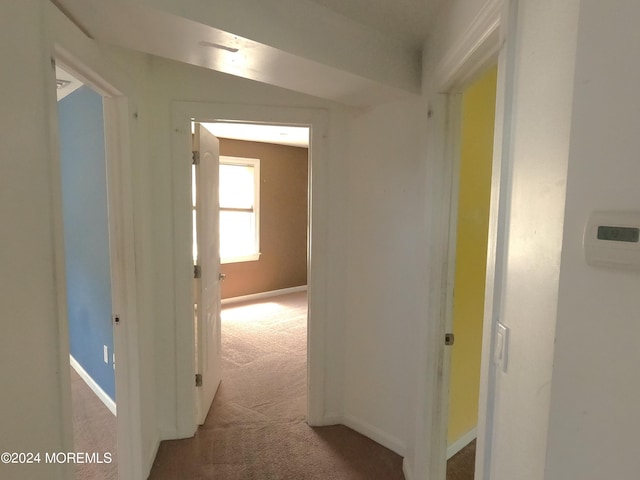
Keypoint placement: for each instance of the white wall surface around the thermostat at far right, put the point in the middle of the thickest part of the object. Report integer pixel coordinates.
(594, 421)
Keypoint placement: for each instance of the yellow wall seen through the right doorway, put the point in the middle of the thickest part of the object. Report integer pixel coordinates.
(471, 252)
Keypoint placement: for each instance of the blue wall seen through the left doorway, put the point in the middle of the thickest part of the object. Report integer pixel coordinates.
(84, 196)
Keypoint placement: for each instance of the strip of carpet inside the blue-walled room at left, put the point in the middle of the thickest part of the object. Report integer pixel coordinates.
(94, 431)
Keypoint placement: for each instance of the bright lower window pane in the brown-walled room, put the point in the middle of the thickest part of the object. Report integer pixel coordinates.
(237, 234)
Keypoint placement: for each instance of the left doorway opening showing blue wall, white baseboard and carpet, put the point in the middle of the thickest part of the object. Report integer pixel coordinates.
(88, 275)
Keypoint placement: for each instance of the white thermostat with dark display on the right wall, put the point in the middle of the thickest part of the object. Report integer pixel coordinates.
(612, 239)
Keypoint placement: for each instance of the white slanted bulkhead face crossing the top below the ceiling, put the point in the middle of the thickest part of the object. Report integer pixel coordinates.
(301, 27)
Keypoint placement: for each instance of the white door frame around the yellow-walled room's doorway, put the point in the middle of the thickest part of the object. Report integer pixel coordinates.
(489, 38)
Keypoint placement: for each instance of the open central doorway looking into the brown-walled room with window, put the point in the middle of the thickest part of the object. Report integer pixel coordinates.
(265, 305)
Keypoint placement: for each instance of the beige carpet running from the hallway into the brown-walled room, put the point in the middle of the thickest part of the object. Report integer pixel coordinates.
(256, 427)
